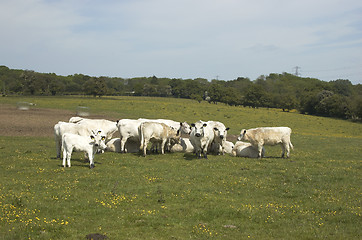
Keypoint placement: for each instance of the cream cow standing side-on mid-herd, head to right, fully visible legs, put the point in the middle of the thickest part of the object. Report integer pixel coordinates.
(156, 133)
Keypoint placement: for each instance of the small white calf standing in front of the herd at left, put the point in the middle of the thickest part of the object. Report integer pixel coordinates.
(74, 142)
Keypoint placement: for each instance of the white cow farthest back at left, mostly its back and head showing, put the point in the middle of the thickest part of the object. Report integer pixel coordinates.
(108, 127)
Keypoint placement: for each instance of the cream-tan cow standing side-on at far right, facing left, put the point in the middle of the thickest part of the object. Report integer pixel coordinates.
(258, 137)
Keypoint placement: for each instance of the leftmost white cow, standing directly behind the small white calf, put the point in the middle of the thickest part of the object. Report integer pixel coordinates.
(63, 127)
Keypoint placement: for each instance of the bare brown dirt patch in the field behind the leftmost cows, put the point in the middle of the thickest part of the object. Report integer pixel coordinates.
(33, 122)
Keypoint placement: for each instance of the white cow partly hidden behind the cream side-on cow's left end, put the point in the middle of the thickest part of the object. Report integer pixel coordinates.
(128, 129)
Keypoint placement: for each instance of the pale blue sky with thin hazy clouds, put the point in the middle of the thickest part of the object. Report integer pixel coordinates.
(212, 39)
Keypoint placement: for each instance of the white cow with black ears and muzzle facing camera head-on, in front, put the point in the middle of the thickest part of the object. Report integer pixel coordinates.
(201, 137)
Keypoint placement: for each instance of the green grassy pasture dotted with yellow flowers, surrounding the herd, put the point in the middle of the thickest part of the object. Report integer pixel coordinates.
(315, 194)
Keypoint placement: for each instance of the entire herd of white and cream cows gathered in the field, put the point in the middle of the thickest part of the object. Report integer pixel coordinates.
(95, 135)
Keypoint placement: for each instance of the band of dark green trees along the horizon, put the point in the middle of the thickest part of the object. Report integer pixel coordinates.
(337, 98)
